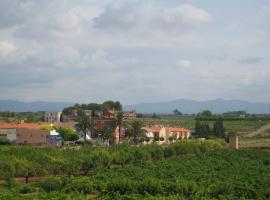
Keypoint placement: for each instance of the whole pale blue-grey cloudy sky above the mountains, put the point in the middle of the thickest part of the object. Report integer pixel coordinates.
(134, 50)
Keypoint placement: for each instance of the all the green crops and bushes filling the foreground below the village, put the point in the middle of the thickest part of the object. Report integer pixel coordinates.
(185, 170)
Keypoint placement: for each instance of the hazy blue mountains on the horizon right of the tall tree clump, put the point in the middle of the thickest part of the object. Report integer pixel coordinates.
(191, 106)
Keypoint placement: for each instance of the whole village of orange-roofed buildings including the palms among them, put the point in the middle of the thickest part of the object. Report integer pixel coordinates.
(116, 124)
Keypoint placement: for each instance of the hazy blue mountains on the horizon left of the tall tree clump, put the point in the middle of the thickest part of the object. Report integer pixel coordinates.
(19, 106)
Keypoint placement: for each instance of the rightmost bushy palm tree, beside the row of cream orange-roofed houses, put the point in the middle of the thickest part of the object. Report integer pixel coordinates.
(136, 130)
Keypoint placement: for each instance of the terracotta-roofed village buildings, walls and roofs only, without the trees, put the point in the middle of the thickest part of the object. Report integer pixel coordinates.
(32, 133)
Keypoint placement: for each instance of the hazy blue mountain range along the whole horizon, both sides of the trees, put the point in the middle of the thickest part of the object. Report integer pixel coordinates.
(184, 105)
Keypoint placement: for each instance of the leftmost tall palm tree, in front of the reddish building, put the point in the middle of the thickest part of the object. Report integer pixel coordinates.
(83, 123)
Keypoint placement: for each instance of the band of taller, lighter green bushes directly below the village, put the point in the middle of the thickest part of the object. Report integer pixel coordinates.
(73, 161)
